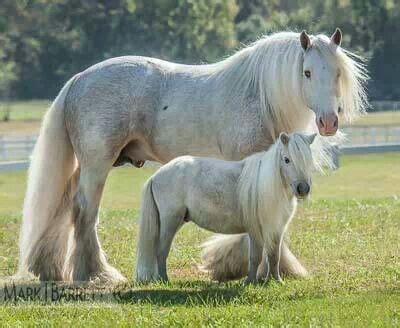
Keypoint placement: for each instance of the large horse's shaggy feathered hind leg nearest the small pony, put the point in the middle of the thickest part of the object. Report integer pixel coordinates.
(88, 260)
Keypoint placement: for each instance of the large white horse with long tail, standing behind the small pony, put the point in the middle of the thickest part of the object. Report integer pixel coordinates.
(133, 109)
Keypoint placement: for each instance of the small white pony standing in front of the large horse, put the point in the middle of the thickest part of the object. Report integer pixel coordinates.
(256, 195)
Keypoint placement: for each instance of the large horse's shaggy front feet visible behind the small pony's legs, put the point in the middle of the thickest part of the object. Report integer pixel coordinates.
(226, 257)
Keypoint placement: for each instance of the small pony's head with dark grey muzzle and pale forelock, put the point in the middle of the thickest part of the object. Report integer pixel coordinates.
(296, 162)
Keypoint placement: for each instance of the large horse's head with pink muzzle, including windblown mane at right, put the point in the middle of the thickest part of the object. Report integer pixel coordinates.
(332, 82)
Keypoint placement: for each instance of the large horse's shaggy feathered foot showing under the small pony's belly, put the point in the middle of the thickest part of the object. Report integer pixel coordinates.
(225, 257)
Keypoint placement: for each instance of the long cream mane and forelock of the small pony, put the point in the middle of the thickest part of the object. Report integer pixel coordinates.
(261, 188)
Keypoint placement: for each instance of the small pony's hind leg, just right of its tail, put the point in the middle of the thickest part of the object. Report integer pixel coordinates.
(169, 225)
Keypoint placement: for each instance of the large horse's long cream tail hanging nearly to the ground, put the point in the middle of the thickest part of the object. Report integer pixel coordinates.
(52, 165)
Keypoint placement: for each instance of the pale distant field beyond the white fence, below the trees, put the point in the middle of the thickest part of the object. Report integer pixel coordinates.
(26, 115)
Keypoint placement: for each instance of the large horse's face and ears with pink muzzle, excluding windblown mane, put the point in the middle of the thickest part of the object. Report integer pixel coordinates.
(321, 74)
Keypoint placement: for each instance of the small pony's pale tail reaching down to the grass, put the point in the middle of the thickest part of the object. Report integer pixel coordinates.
(149, 231)
